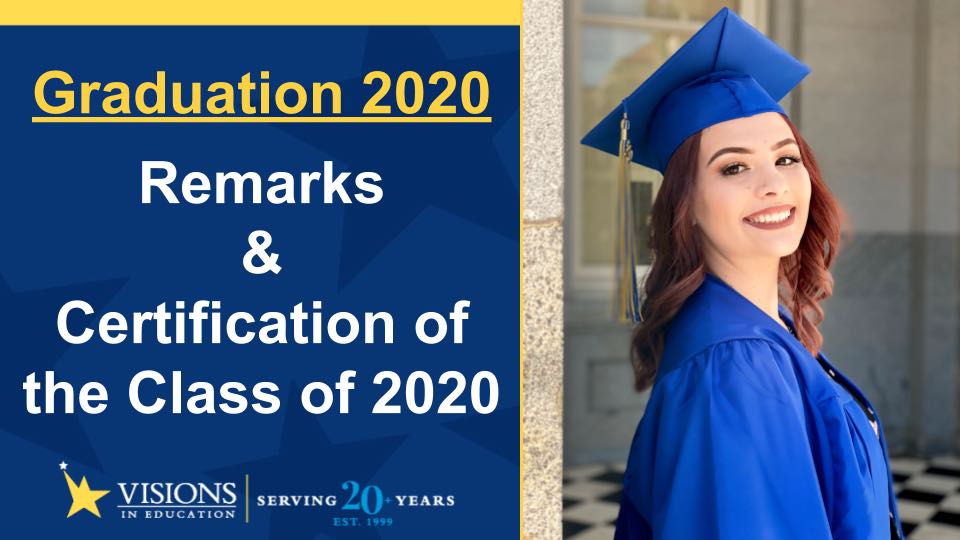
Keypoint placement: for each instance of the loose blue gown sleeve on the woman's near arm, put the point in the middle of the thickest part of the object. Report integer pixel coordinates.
(725, 453)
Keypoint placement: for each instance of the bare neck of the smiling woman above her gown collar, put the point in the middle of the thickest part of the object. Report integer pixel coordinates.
(756, 281)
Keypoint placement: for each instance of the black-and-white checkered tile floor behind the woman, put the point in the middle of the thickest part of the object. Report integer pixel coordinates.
(928, 497)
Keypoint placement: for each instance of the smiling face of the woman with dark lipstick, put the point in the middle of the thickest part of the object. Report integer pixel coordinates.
(752, 192)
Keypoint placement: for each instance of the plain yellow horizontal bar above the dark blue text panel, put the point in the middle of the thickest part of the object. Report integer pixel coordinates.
(280, 12)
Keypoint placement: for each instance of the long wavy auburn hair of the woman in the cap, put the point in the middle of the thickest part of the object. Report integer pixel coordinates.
(678, 266)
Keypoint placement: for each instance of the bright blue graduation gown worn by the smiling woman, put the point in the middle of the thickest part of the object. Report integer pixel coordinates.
(745, 436)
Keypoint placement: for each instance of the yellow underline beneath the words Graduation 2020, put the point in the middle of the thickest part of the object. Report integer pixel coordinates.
(261, 119)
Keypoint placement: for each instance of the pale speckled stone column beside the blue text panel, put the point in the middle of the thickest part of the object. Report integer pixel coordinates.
(542, 273)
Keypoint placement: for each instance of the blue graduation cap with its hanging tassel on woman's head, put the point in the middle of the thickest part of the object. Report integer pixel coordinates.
(727, 70)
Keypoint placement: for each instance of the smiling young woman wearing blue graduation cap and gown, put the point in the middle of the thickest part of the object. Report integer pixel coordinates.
(749, 432)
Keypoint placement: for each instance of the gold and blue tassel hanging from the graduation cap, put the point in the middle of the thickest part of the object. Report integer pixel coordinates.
(627, 300)
